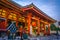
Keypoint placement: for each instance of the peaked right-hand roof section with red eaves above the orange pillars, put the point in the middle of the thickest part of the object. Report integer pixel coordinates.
(40, 12)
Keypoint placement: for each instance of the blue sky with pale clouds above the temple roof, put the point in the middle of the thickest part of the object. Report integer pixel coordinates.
(50, 7)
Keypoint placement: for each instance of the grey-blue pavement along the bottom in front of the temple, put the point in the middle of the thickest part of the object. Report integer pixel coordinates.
(52, 37)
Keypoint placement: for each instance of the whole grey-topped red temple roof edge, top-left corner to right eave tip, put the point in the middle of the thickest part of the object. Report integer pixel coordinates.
(16, 6)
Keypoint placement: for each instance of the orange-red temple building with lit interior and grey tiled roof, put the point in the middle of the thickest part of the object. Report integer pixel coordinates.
(29, 18)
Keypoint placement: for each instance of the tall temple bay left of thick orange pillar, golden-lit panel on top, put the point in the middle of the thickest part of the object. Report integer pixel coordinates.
(23, 27)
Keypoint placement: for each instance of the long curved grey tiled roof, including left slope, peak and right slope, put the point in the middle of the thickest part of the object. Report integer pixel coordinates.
(18, 7)
